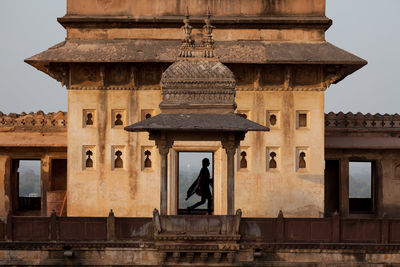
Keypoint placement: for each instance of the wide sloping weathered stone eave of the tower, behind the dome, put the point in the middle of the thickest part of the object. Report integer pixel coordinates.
(247, 52)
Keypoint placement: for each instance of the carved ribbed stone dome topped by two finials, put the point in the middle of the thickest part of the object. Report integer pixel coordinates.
(198, 81)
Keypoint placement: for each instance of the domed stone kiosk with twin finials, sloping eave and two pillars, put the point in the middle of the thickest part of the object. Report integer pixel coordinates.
(198, 104)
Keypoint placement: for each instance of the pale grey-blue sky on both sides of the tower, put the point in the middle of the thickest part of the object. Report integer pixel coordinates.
(366, 28)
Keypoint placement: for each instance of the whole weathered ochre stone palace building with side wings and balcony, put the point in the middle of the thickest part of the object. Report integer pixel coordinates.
(241, 80)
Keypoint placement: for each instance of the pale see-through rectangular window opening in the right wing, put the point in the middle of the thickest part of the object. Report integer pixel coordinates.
(361, 187)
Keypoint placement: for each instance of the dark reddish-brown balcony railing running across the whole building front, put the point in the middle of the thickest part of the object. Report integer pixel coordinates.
(332, 230)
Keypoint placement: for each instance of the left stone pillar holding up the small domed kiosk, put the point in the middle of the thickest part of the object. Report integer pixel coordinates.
(163, 144)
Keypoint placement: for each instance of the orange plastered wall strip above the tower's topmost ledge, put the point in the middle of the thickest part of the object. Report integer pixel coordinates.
(233, 8)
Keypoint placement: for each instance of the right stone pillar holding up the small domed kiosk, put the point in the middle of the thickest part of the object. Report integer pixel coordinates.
(230, 144)
